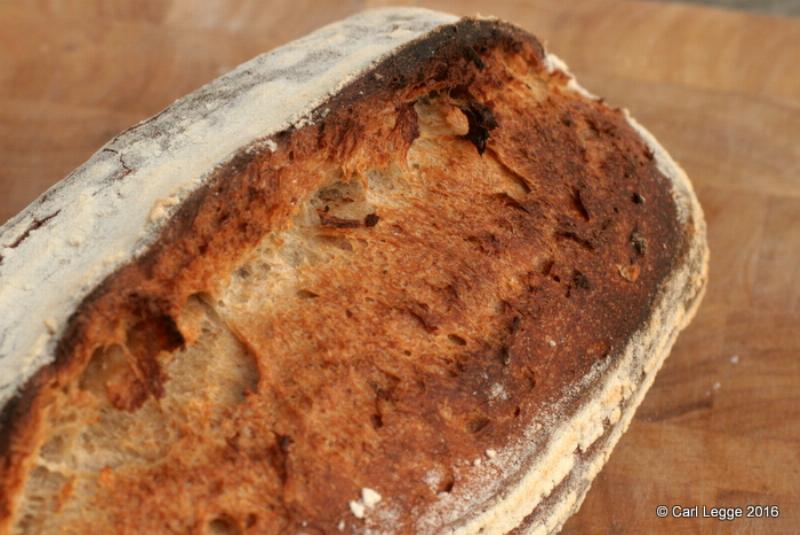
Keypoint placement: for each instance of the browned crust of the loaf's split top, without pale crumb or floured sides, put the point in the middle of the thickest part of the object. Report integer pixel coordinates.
(541, 235)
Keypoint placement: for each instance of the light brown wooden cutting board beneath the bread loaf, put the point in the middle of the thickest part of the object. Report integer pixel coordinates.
(721, 89)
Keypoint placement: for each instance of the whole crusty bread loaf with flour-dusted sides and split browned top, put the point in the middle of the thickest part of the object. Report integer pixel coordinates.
(403, 275)
